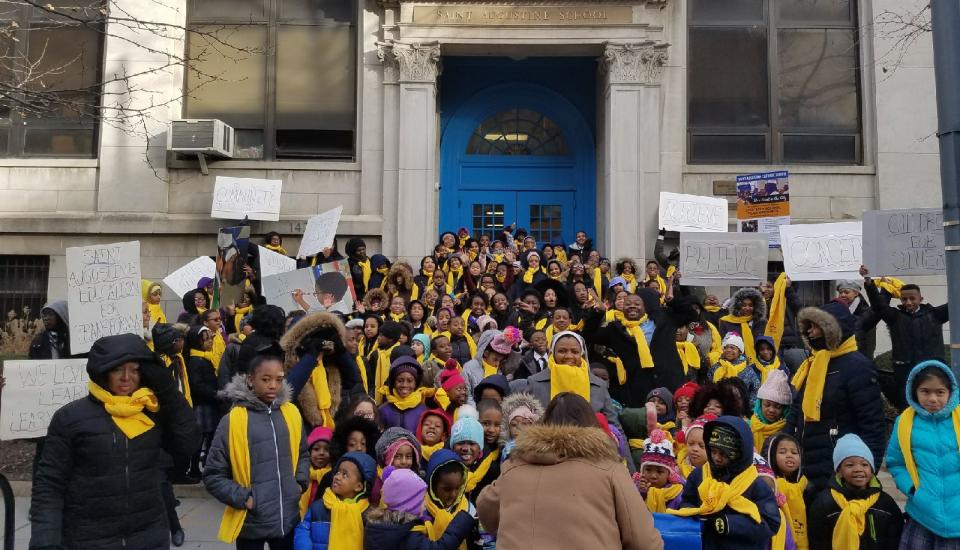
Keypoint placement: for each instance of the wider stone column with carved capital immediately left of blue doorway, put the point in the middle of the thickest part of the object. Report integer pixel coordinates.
(416, 204)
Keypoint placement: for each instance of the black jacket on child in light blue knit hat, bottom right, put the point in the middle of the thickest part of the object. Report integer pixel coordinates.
(884, 521)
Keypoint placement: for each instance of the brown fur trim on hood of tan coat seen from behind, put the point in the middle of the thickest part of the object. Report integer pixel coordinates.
(549, 444)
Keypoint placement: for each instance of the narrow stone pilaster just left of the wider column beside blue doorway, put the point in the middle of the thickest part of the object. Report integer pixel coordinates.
(391, 154)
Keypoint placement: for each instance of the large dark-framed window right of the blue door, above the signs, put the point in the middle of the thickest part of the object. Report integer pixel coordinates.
(773, 81)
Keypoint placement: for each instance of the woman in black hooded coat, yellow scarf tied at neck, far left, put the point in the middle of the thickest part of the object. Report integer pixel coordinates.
(98, 482)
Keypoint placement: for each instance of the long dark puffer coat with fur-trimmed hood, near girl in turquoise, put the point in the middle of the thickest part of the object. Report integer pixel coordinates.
(850, 403)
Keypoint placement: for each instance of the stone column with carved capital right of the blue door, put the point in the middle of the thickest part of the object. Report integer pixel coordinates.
(630, 163)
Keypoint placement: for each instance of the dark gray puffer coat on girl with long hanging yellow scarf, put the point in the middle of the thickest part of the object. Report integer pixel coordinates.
(276, 488)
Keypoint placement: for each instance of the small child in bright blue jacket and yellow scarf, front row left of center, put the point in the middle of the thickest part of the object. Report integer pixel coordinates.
(335, 521)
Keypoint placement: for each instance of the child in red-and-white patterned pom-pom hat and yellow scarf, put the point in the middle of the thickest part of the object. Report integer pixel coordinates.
(658, 480)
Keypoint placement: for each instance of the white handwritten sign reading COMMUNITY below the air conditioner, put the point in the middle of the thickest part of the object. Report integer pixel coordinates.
(238, 198)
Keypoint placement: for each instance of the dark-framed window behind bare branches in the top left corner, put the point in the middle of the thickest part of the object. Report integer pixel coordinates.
(50, 77)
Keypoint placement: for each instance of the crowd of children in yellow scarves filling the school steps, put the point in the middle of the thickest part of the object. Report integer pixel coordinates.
(382, 429)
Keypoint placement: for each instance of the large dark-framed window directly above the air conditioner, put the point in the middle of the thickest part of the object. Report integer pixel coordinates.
(281, 72)
